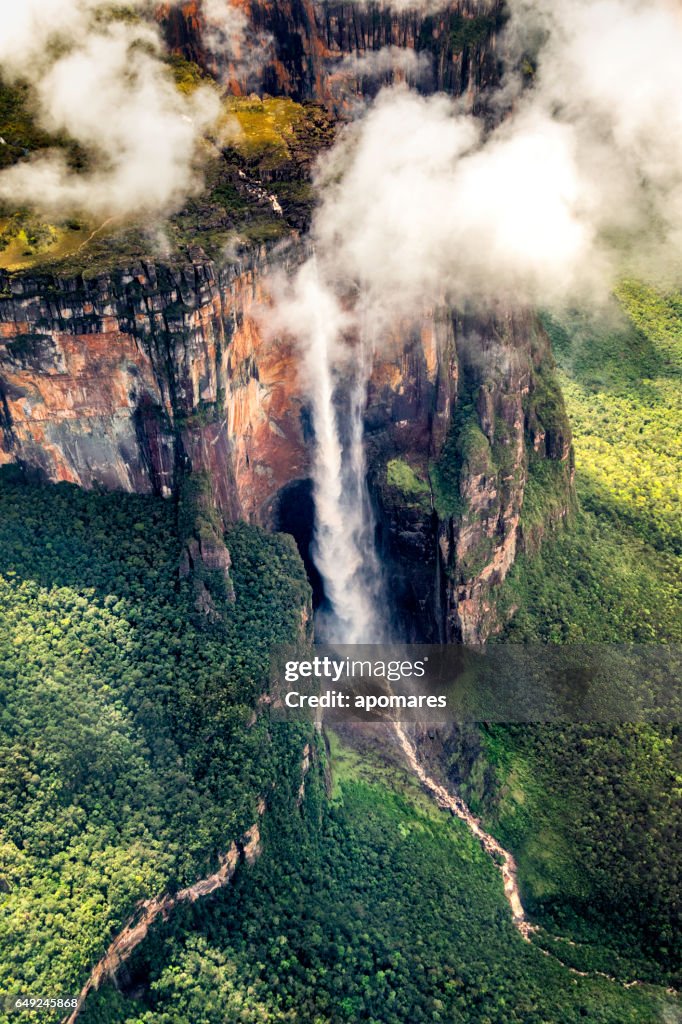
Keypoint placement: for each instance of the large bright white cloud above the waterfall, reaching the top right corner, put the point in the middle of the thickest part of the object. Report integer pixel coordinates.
(582, 182)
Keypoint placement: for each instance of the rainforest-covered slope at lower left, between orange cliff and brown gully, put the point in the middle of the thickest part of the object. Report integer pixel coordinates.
(132, 756)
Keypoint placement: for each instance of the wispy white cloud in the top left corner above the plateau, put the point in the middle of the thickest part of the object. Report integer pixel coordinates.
(105, 84)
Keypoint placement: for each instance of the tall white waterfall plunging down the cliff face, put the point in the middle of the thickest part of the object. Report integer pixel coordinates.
(344, 549)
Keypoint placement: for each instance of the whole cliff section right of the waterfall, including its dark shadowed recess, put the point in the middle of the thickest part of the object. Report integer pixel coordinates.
(456, 434)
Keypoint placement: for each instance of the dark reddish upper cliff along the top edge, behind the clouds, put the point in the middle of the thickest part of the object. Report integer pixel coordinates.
(303, 46)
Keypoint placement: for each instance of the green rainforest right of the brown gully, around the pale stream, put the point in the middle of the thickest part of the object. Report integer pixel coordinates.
(373, 906)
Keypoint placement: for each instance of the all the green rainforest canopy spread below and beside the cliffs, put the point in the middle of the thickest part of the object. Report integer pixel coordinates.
(132, 760)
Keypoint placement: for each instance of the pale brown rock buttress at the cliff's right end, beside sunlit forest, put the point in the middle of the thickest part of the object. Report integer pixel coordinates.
(509, 431)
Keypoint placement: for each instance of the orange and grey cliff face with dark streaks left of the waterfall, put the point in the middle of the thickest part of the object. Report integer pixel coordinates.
(125, 381)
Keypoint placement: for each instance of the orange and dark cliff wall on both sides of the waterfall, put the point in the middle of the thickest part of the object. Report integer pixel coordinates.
(133, 380)
